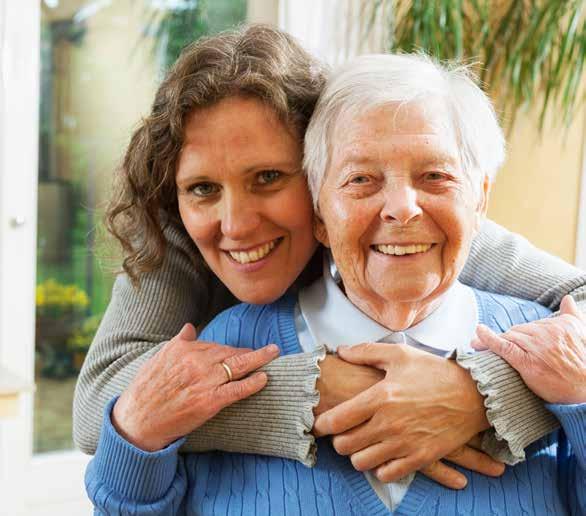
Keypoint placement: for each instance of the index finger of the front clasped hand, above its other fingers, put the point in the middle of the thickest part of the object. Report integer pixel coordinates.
(348, 414)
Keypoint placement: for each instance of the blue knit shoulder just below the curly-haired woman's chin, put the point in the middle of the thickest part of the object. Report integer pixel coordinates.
(253, 326)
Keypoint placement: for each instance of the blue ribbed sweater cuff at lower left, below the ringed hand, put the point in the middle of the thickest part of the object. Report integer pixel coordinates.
(129, 471)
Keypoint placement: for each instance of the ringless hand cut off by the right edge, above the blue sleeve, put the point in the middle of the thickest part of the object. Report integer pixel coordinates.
(550, 354)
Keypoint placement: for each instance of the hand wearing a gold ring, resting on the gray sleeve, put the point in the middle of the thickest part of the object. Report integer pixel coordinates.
(183, 386)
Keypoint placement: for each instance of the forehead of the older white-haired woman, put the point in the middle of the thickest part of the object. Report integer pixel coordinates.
(421, 129)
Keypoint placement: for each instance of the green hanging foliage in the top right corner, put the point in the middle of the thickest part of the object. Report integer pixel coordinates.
(528, 51)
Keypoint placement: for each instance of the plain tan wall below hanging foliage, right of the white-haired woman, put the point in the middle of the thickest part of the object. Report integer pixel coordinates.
(537, 191)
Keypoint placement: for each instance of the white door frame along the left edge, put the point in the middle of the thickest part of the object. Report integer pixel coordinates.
(51, 483)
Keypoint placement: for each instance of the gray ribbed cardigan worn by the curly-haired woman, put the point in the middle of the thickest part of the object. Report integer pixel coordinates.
(278, 420)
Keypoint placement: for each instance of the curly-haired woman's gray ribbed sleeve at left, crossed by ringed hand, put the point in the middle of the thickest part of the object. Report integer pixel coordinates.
(275, 421)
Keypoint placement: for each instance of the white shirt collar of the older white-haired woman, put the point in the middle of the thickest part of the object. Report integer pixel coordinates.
(333, 320)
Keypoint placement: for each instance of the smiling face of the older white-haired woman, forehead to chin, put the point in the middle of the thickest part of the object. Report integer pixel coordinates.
(396, 208)
